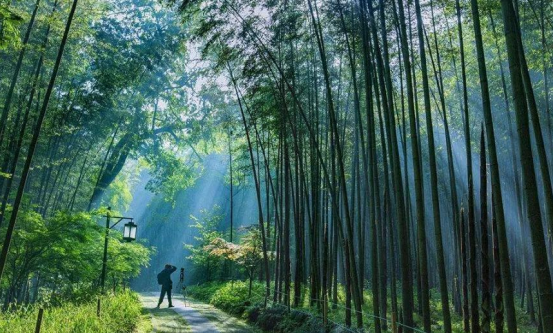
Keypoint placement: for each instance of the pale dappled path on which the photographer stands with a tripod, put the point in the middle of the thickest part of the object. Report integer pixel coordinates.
(192, 317)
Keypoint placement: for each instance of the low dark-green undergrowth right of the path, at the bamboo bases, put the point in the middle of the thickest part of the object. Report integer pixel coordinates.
(232, 297)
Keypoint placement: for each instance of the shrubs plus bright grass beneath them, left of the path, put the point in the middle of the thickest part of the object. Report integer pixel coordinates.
(55, 265)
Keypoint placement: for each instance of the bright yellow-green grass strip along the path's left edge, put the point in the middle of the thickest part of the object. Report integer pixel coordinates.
(119, 314)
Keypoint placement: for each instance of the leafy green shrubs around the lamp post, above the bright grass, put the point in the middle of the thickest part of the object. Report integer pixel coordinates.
(64, 252)
